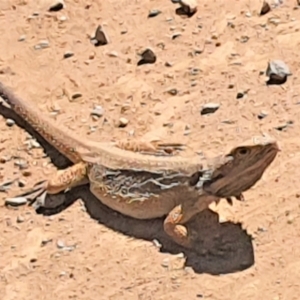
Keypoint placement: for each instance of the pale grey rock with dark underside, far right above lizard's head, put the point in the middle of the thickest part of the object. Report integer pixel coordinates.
(277, 72)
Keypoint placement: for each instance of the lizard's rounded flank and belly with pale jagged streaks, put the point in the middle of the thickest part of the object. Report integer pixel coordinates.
(138, 194)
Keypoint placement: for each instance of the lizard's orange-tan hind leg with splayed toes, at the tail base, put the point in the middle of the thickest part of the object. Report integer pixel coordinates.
(61, 181)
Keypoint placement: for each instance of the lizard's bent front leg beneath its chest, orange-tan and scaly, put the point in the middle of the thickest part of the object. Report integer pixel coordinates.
(181, 214)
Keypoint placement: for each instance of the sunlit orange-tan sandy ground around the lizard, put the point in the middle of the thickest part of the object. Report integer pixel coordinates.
(86, 251)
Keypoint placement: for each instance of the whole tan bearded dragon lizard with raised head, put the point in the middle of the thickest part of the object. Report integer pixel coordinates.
(147, 186)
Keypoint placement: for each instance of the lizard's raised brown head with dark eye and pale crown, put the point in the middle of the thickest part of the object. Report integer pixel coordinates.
(243, 166)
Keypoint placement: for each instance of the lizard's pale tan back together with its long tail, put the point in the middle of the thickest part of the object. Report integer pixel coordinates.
(79, 149)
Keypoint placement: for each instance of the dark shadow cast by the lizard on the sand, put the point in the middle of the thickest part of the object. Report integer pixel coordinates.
(220, 247)
